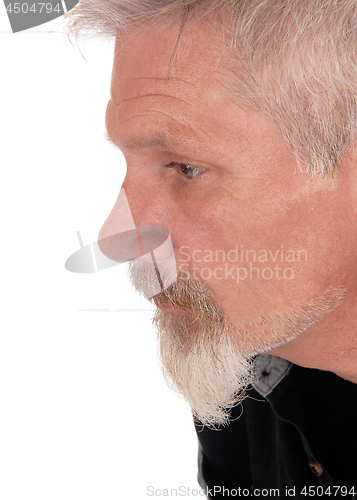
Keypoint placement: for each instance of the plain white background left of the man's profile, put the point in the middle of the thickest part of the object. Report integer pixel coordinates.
(84, 411)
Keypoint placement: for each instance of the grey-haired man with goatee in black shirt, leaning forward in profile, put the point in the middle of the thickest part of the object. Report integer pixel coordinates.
(237, 120)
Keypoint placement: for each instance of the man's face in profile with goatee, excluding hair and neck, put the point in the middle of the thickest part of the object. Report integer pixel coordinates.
(222, 180)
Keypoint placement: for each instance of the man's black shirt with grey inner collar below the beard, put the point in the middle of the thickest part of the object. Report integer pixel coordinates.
(294, 436)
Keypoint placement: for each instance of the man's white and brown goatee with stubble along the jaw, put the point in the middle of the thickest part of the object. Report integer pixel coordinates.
(206, 359)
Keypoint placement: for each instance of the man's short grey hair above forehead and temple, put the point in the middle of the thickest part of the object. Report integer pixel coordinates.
(299, 58)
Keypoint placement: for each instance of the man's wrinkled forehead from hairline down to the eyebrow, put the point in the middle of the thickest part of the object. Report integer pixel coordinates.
(184, 106)
